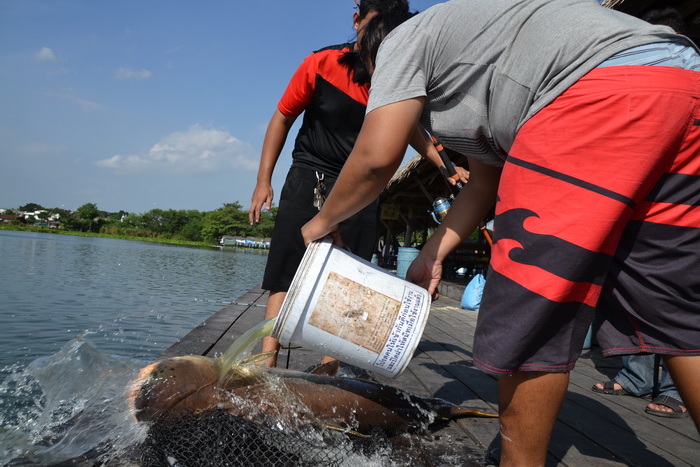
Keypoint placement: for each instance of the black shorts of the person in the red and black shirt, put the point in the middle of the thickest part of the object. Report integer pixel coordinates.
(295, 209)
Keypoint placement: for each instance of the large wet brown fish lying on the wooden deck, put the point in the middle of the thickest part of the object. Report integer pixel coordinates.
(273, 395)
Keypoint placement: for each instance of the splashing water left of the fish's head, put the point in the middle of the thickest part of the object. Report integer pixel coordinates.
(66, 405)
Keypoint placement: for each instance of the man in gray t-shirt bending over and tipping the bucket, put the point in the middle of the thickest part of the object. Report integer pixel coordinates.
(583, 124)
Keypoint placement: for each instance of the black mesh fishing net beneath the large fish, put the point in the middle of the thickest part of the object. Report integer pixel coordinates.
(216, 438)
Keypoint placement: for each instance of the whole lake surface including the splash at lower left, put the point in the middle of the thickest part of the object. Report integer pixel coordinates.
(80, 315)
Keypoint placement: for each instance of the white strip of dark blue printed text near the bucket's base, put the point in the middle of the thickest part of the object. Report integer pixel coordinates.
(403, 330)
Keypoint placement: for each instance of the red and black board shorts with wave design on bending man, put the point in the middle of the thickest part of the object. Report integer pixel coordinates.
(598, 212)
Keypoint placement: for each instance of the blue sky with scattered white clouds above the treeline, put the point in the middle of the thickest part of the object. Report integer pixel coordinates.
(135, 105)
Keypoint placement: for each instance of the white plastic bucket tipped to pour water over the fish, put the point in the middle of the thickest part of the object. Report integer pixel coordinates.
(345, 307)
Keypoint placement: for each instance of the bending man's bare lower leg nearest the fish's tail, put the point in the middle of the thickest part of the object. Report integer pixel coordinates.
(528, 404)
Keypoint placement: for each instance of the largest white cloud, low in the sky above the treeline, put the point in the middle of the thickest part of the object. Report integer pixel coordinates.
(196, 150)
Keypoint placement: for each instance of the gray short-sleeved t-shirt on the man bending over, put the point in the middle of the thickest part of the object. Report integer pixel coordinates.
(486, 66)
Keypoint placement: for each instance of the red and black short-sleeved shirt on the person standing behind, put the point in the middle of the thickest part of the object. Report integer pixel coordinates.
(334, 109)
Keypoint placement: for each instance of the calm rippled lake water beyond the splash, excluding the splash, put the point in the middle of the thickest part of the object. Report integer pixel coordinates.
(132, 298)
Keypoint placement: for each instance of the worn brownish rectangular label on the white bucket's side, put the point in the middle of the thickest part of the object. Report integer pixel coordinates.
(355, 313)
